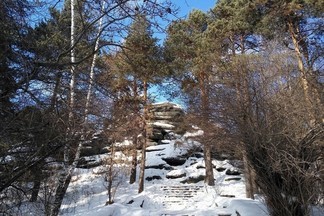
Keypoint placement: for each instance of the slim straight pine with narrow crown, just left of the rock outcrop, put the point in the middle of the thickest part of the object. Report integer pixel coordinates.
(145, 62)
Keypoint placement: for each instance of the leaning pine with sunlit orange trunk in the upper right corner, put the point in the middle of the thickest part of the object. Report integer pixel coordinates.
(301, 21)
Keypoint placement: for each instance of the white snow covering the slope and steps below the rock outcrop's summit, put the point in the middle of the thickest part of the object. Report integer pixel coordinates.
(87, 193)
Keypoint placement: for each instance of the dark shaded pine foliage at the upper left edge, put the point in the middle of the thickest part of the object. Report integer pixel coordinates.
(12, 53)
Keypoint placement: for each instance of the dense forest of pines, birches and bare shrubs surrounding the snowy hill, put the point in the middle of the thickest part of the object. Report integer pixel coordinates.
(250, 74)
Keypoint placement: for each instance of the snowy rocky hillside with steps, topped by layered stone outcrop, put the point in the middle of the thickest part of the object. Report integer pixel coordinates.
(174, 176)
